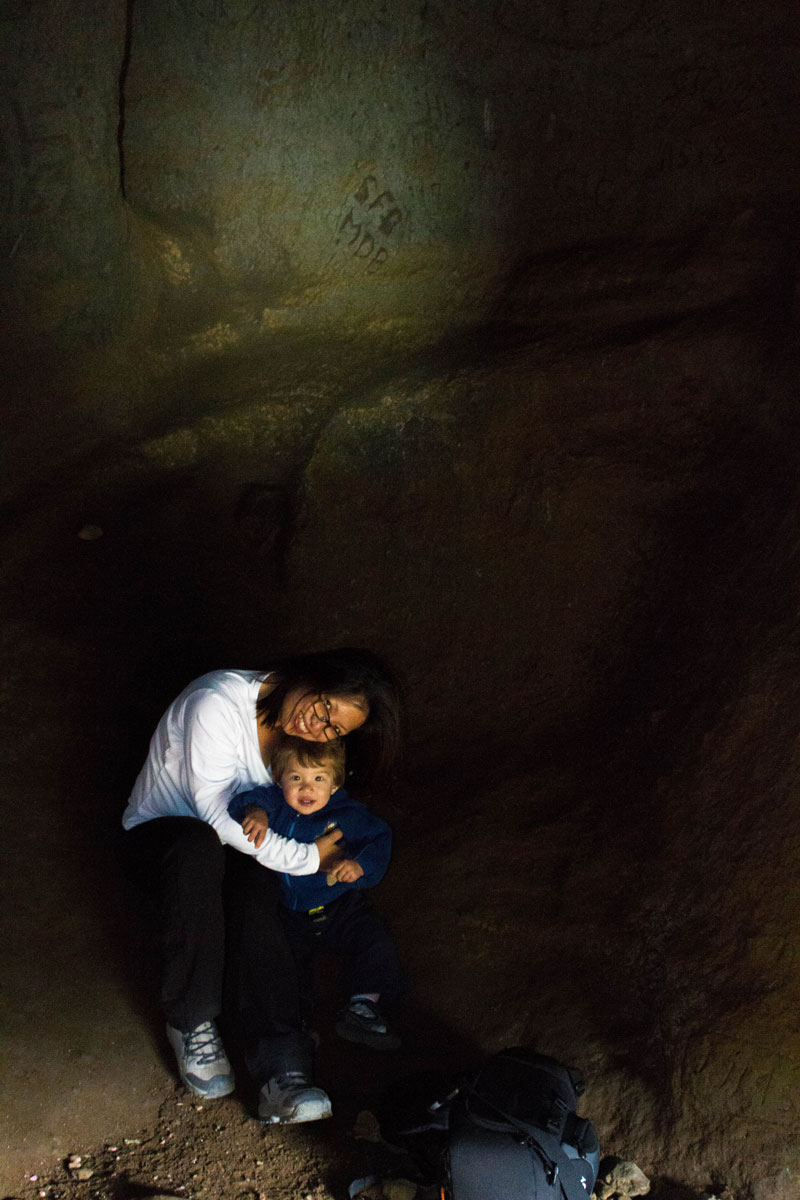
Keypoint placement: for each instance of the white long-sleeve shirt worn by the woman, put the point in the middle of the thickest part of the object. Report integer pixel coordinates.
(203, 753)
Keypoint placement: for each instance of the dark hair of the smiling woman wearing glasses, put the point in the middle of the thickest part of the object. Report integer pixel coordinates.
(348, 671)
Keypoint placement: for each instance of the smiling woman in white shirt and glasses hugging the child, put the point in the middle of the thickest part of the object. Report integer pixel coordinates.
(213, 905)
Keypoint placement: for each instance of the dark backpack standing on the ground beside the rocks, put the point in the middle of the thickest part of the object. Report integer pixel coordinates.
(514, 1133)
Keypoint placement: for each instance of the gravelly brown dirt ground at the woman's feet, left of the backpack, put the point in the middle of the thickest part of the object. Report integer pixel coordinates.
(199, 1150)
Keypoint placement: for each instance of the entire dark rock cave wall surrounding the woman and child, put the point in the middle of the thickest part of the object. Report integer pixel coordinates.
(466, 333)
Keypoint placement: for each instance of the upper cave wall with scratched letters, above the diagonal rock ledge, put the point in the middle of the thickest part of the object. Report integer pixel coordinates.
(188, 183)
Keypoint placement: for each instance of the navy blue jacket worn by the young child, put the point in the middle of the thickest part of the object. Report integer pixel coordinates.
(368, 839)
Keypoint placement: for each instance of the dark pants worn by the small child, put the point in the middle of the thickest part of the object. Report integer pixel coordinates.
(351, 927)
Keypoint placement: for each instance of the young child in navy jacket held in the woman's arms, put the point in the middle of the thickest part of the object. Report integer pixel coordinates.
(330, 911)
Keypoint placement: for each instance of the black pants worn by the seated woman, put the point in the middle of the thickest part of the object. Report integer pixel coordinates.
(221, 941)
